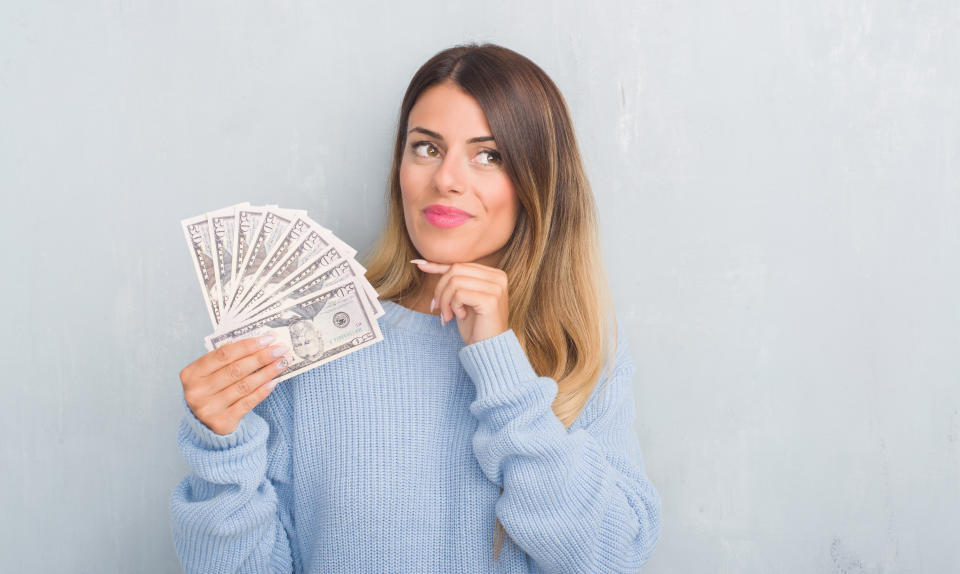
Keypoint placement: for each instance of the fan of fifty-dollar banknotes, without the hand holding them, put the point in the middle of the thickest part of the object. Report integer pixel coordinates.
(273, 270)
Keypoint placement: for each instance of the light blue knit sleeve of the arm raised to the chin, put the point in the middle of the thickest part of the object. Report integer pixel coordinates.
(575, 500)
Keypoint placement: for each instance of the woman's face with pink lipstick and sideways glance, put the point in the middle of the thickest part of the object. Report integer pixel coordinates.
(441, 168)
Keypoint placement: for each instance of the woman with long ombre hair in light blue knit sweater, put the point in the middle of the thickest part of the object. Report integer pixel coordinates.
(499, 402)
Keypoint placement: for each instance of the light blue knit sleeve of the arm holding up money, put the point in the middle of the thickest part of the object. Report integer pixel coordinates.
(231, 513)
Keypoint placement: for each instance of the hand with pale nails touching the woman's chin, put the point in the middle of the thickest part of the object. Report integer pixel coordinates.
(475, 294)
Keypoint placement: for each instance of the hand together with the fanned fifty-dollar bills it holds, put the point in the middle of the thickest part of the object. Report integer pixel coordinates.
(267, 271)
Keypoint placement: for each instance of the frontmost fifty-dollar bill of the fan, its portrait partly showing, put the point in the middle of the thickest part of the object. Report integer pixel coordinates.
(317, 329)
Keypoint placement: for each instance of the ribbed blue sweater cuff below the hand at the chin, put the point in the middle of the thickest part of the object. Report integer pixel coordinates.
(497, 364)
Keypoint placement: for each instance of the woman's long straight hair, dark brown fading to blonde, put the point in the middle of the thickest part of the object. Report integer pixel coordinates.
(560, 305)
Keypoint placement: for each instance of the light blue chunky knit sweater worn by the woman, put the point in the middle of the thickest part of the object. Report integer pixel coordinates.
(391, 459)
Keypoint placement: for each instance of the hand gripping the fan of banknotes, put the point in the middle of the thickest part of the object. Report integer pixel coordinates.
(226, 383)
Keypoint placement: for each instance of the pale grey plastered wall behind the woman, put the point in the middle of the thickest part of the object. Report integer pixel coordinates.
(778, 186)
